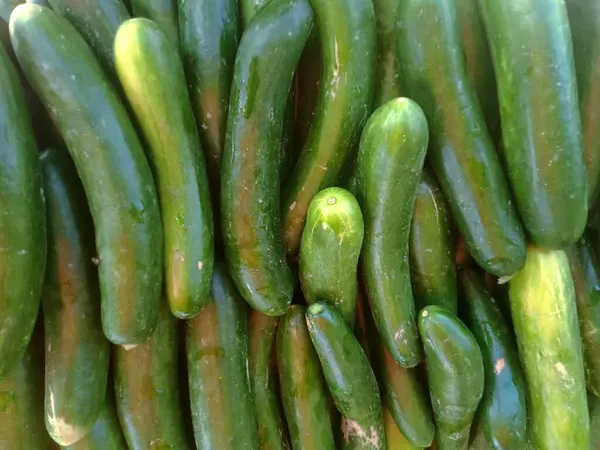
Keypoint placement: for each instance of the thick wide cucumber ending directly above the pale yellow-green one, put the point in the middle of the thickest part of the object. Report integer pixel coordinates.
(543, 146)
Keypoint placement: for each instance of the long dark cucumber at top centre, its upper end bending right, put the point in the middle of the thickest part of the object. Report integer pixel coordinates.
(249, 177)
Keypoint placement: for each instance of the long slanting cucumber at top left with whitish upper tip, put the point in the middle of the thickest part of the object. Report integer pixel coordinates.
(102, 141)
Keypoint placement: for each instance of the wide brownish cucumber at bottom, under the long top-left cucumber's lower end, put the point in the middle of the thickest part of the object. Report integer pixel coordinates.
(147, 389)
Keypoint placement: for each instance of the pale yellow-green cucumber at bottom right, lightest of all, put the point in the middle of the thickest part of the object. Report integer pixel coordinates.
(543, 308)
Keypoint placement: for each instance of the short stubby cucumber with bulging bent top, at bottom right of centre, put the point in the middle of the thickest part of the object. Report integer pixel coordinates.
(456, 375)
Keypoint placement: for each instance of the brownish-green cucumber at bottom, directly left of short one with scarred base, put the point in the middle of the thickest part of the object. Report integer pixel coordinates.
(303, 389)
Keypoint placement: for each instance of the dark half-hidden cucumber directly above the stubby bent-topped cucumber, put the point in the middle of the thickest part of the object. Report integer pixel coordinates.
(431, 247)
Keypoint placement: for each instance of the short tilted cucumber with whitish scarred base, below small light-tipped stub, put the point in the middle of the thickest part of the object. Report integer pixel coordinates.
(349, 377)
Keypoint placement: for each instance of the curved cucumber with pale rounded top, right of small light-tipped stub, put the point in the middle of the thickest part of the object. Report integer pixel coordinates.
(392, 148)
